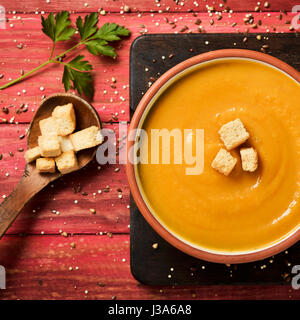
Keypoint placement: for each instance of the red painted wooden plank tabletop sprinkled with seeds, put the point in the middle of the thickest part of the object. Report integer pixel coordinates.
(57, 248)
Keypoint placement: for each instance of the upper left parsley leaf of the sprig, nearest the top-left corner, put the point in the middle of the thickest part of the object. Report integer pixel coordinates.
(58, 28)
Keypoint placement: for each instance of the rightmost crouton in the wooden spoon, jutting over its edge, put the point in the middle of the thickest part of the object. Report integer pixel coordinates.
(87, 138)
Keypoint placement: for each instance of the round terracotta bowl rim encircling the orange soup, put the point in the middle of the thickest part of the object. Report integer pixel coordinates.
(140, 113)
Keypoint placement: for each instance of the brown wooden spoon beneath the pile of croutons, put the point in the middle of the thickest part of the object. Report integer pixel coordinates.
(32, 181)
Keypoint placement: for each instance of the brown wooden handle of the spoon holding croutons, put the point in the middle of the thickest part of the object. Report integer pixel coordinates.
(12, 205)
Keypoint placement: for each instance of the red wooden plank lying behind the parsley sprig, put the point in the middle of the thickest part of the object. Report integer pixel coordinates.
(108, 101)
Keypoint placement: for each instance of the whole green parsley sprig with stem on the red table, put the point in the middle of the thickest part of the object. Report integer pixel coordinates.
(77, 72)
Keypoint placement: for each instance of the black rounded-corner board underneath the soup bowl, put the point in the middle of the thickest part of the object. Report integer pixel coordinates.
(166, 265)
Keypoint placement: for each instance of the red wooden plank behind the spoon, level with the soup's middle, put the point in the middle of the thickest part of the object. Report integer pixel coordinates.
(74, 216)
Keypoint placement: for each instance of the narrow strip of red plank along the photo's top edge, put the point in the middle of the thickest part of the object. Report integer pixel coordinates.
(141, 6)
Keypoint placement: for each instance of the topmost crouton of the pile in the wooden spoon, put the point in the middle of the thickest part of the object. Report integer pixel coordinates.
(65, 119)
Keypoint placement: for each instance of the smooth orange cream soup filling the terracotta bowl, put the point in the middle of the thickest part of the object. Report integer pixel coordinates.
(243, 211)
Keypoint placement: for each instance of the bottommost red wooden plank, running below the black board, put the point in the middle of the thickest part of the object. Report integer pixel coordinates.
(39, 268)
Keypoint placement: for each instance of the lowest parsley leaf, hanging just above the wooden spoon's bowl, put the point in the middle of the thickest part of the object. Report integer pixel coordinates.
(76, 72)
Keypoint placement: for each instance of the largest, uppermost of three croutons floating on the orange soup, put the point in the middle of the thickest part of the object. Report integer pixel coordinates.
(233, 134)
